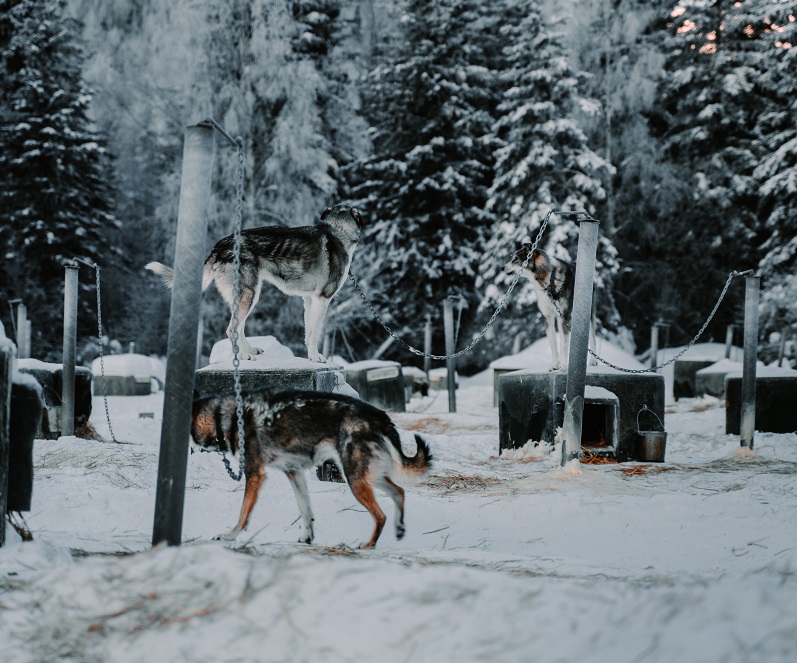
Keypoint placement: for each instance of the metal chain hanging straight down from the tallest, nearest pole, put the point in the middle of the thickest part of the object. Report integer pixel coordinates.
(236, 360)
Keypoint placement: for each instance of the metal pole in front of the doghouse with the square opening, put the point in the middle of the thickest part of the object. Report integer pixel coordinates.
(579, 340)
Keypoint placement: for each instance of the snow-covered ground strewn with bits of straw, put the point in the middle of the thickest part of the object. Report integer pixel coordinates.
(504, 560)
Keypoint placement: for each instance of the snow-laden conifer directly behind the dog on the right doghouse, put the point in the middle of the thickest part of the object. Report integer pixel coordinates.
(543, 162)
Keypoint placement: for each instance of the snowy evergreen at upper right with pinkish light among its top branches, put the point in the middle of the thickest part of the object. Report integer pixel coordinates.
(710, 111)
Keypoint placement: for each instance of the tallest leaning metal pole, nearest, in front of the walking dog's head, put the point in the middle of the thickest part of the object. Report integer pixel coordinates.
(192, 226)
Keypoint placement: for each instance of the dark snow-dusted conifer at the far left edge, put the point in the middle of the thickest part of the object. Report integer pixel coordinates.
(55, 201)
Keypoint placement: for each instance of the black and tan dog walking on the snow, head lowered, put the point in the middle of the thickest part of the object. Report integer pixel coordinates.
(296, 430)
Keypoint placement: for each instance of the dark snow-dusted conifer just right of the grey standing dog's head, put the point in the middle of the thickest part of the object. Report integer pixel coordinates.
(424, 189)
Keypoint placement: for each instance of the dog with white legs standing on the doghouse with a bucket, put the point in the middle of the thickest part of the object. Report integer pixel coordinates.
(553, 282)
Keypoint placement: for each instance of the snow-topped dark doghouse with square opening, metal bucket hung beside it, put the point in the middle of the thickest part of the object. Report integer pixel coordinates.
(531, 401)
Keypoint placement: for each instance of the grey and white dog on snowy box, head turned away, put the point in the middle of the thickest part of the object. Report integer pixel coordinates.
(310, 262)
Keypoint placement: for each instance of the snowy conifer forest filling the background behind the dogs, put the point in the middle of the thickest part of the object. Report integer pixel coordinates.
(454, 126)
